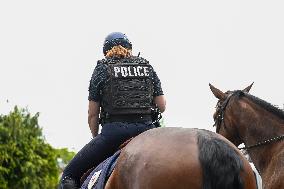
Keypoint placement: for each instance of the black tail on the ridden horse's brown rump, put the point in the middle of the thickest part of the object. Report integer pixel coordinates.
(221, 164)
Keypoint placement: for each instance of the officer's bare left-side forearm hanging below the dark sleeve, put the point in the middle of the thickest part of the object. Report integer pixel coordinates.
(93, 117)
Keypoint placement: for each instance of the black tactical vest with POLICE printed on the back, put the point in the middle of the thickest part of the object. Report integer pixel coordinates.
(129, 89)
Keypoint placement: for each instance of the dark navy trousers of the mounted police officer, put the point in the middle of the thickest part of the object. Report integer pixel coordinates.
(102, 146)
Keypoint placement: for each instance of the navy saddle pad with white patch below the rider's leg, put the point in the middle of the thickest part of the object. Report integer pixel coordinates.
(99, 176)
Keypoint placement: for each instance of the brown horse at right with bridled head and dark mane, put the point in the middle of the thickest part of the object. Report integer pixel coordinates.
(243, 118)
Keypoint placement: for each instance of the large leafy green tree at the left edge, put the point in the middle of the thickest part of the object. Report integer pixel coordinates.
(26, 160)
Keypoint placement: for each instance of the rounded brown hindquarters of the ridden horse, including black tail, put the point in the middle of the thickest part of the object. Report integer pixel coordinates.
(180, 158)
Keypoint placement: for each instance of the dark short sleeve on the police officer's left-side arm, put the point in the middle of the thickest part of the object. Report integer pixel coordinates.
(97, 82)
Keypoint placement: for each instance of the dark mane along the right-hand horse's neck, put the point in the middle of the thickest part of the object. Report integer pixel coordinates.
(266, 105)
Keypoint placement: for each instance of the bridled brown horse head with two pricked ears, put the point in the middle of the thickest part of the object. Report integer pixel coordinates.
(226, 109)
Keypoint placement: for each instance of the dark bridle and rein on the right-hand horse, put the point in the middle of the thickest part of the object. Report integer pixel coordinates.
(221, 107)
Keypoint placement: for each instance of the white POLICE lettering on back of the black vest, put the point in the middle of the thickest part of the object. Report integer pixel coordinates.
(131, 71)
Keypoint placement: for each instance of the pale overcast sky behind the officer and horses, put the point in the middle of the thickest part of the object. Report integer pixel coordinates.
(48, 50)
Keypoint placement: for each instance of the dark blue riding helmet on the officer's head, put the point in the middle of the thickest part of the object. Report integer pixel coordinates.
(114, 39)
